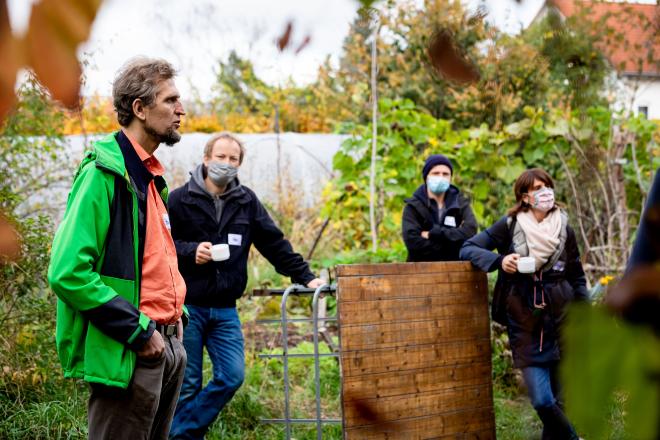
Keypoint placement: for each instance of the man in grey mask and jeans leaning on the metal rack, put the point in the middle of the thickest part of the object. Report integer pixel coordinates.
(214, 208)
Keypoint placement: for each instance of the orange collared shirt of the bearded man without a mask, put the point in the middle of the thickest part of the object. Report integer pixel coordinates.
(162, 289)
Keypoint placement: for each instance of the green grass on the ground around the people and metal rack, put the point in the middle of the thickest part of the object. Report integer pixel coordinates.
(262, 394)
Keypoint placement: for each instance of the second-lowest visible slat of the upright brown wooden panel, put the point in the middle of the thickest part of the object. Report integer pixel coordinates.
(390, 409)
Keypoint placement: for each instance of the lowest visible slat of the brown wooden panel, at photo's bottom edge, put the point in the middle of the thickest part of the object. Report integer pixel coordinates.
(455, 423)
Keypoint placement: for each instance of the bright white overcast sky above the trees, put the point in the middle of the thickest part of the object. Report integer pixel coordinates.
(195, 34)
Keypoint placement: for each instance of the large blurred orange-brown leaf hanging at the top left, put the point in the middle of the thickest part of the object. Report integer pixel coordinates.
(56, 29)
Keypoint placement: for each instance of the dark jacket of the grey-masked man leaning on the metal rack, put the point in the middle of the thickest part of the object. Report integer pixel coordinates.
(193, 220)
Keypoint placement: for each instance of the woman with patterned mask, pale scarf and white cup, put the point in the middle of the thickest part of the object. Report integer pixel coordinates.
(532, 305)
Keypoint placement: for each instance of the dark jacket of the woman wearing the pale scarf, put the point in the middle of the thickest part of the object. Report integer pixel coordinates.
(533, 333)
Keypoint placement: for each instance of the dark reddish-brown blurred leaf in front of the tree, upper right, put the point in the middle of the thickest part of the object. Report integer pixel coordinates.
(447, 59)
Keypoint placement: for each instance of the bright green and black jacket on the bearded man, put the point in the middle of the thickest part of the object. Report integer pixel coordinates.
(96, 264)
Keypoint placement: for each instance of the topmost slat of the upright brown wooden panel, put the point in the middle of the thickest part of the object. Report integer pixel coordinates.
(349, 270)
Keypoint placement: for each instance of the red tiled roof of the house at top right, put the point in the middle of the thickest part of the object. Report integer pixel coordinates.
(623, 18)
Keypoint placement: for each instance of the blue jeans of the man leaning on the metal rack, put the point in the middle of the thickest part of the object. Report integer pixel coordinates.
(220, 331)
